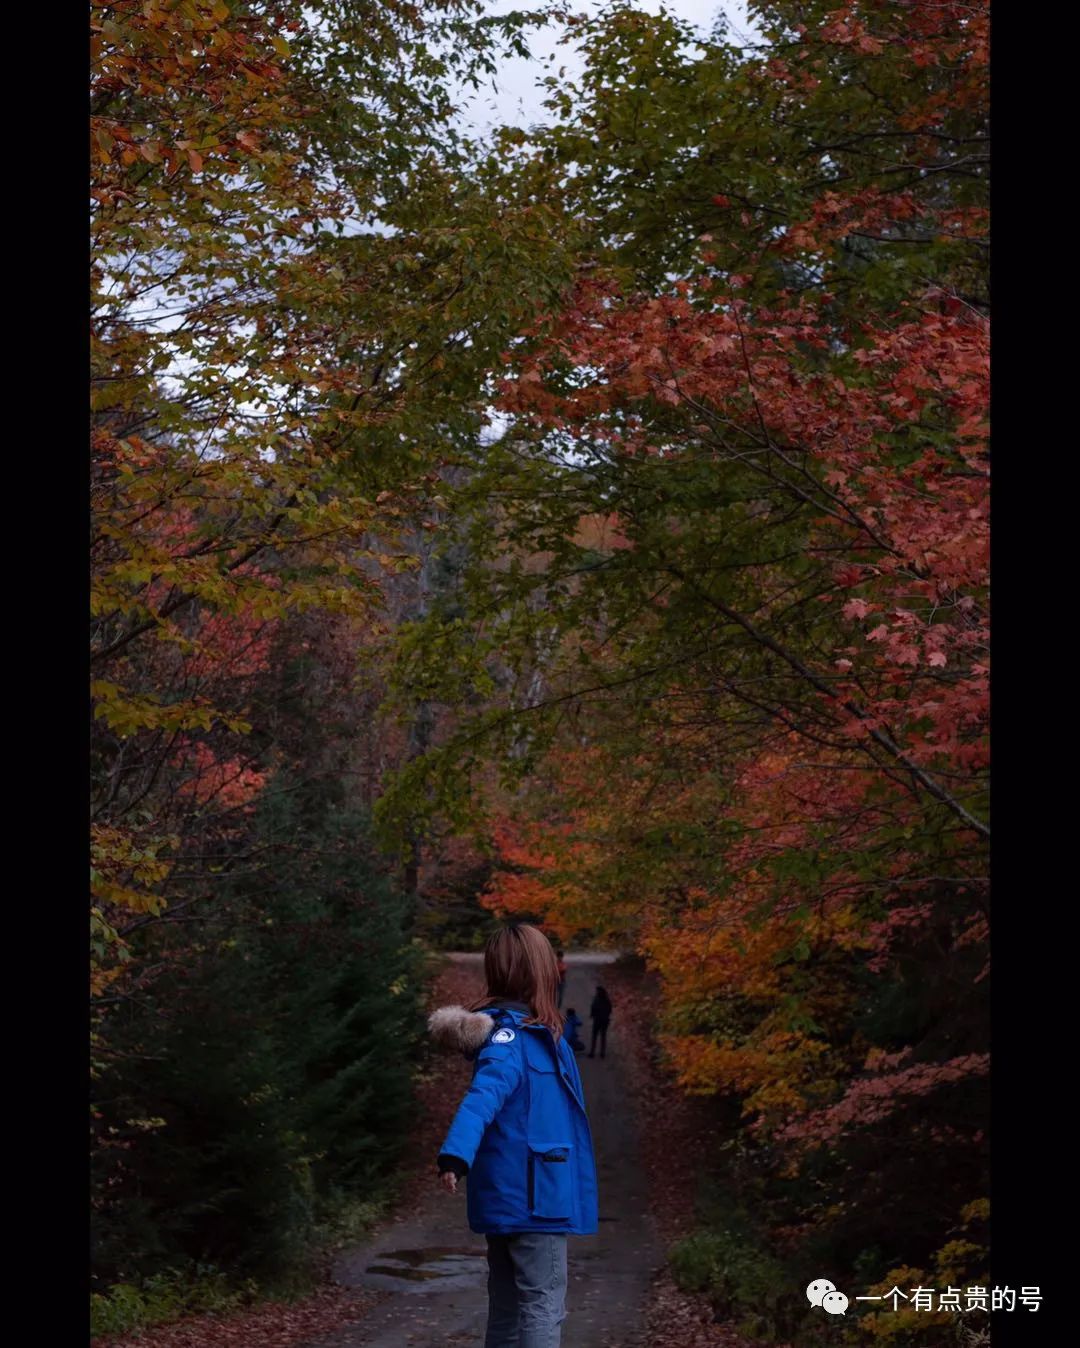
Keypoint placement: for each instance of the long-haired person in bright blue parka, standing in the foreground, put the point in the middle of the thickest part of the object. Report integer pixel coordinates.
(521, 1137)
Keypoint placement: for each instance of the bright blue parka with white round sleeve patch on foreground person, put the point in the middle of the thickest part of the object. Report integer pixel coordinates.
(524, 1133)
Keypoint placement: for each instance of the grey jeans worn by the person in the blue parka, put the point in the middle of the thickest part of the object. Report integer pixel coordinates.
(527, 1291)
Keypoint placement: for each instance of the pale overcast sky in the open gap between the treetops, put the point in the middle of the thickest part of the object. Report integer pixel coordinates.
(517, 102)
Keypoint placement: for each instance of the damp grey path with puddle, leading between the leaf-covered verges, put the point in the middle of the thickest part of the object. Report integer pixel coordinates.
(432, 1269)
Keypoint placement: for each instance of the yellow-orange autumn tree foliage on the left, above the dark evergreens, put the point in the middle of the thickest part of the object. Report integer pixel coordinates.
(296, 297)
